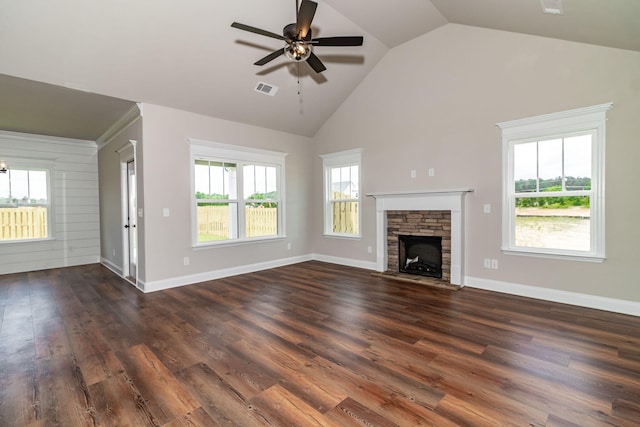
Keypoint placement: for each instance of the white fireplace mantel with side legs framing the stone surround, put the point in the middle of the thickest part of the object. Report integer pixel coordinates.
(427, 200)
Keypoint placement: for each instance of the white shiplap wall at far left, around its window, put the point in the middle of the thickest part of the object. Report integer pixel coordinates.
(75, 204)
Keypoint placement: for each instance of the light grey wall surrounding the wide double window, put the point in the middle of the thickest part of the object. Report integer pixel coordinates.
(166, 171)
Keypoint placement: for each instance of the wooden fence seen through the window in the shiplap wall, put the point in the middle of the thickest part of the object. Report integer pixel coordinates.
(23, 223)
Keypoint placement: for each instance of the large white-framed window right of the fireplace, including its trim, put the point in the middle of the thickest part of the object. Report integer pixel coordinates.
(553, 184)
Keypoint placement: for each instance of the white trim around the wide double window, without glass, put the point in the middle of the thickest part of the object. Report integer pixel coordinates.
(232, 154)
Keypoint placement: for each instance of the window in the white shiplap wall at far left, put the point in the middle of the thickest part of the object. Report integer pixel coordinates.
(25, 211)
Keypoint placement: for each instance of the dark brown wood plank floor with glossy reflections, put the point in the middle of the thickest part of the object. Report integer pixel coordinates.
(305, 345)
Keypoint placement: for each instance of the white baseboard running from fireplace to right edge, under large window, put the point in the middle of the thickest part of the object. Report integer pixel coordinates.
(572, 298)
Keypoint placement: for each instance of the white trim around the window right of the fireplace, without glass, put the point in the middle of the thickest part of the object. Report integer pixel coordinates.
(572, 121)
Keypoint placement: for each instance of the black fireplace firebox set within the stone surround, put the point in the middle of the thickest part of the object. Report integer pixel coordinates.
(420, 255)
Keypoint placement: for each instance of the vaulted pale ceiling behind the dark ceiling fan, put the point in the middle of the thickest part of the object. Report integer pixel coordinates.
(73, 68)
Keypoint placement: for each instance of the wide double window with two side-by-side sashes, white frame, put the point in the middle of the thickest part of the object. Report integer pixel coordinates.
(238, 193)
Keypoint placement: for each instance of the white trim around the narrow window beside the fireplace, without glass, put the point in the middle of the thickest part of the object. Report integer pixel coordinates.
(332, 160)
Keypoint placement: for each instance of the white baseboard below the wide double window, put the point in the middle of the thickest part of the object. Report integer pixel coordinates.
(175, 282)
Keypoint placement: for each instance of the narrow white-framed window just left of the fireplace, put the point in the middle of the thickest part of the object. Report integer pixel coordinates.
(342, 193)
